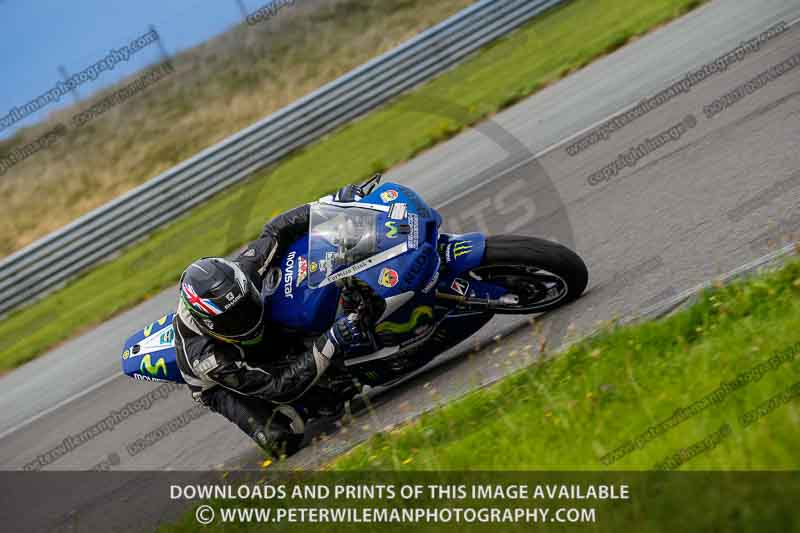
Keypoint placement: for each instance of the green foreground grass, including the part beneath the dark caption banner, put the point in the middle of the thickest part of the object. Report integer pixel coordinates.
(568, 411)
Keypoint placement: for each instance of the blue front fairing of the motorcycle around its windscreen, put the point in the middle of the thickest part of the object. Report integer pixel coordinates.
(402, 220)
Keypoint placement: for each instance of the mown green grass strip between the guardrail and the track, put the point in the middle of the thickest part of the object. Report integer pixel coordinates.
(547, 48)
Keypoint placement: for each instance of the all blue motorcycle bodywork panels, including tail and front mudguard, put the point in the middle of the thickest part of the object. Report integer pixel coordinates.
(430, 263)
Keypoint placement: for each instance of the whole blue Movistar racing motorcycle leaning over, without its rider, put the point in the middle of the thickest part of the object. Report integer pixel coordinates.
(424, 291)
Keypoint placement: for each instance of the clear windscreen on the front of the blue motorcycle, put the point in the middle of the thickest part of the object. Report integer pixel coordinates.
(338, 238)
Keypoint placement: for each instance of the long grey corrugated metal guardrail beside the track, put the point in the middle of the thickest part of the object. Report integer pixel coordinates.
(49, 262)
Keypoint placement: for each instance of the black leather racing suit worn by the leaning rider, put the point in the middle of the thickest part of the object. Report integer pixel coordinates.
(245, 383)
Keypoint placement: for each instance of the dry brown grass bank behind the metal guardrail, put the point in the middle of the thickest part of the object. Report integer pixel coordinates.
(213, 90)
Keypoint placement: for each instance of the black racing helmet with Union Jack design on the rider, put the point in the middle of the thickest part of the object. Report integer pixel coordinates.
(225, 304)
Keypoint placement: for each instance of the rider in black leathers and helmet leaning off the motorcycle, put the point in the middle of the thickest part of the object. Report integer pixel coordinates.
(235, 360)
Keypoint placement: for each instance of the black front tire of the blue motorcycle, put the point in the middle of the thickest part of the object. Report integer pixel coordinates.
(511, 259)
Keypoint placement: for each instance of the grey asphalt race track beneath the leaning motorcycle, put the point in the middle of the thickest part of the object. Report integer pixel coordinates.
(720, 193)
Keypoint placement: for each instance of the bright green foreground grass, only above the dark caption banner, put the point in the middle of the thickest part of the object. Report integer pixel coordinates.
(573, 409)
